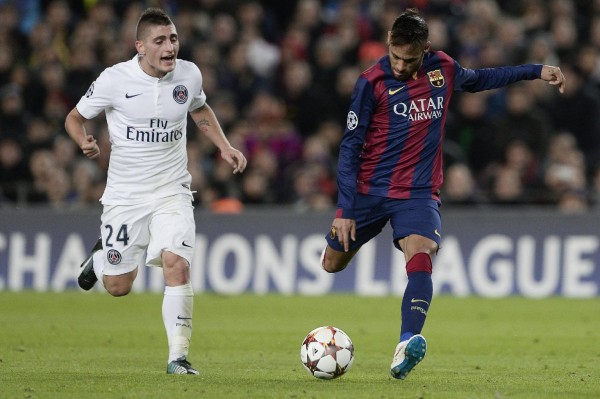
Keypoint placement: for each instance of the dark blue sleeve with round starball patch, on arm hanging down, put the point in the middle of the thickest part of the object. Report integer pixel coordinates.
(362, 105)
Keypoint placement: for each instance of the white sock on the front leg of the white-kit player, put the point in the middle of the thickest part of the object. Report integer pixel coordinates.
(178, 306)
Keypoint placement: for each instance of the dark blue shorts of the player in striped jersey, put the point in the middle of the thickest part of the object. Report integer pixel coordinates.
(406, 217)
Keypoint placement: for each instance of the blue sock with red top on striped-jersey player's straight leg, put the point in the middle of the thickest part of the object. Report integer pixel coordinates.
(417, 296)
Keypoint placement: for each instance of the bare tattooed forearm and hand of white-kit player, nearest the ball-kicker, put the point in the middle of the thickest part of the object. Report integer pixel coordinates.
(206, 120)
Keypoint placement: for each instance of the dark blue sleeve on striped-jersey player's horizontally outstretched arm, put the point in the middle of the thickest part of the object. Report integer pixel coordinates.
(474, 80)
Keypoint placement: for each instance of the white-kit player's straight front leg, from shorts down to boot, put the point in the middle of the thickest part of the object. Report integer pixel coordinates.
(172, 246)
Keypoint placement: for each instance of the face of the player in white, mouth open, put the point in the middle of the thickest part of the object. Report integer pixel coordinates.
(160, 48)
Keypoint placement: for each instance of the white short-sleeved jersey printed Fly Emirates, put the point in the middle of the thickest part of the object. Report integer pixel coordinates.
(147, 119)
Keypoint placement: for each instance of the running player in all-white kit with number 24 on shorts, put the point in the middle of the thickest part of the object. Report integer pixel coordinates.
(147, 216)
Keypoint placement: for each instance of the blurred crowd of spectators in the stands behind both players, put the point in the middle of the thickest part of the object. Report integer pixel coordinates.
(279, 75)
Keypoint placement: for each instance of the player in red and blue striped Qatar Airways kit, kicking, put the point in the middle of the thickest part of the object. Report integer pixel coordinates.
(390, 162)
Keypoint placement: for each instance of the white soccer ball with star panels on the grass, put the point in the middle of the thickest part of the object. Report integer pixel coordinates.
(327, 352)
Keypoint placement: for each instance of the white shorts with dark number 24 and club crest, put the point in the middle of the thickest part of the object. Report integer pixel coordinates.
(135, 235)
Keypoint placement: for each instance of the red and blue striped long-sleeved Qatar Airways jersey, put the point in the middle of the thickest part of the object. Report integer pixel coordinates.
(392, 145)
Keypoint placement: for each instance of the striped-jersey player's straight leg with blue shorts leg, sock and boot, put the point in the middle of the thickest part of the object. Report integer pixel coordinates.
(419, 228)
